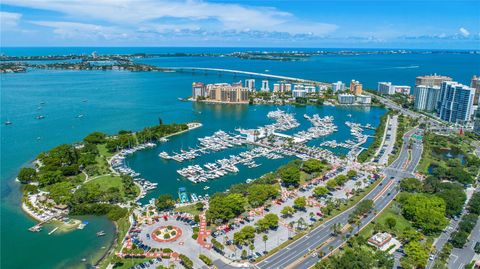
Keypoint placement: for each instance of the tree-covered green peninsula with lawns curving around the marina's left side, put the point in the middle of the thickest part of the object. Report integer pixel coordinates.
(77, 179)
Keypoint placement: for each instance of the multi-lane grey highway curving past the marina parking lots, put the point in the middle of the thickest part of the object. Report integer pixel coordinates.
(298, 254)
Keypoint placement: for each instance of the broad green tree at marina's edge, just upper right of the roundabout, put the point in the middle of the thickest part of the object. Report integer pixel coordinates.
(224, 207)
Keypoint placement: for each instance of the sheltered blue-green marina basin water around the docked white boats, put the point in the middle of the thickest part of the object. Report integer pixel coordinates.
(227, 118)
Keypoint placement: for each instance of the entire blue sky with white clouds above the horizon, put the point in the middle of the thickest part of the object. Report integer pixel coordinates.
(274, 23)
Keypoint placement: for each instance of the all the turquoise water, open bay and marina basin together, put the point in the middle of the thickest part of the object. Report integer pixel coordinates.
(124, 100)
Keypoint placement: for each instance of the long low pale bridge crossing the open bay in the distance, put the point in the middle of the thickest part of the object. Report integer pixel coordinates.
(245, 73)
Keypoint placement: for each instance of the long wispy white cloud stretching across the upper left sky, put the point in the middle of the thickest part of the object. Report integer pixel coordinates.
(159, 14)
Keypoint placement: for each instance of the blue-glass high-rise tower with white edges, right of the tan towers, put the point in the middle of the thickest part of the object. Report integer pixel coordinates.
(455, 103)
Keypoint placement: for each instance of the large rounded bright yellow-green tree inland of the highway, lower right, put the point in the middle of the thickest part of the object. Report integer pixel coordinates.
(425, 211)
